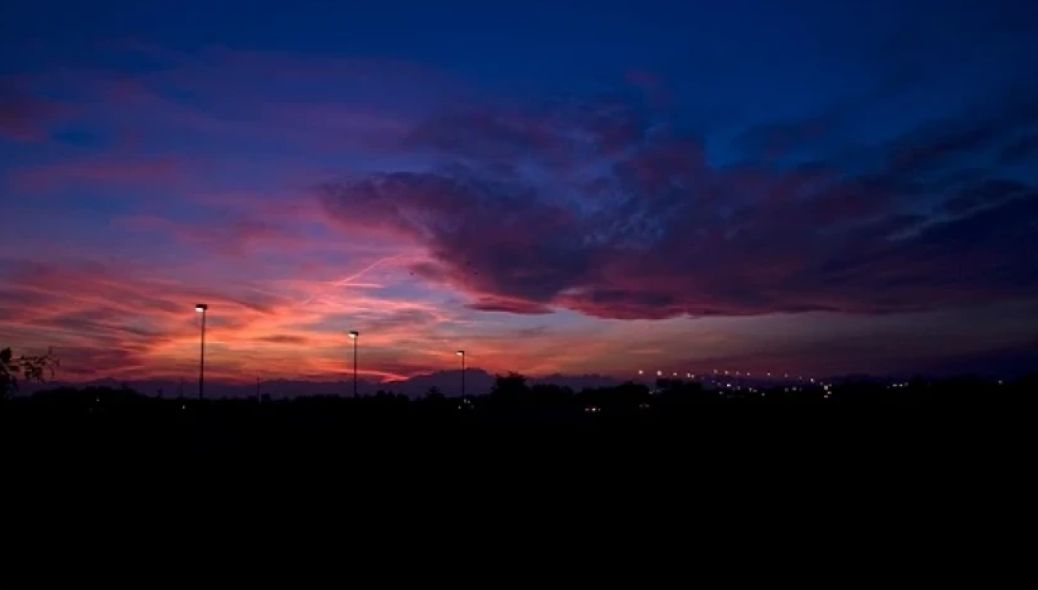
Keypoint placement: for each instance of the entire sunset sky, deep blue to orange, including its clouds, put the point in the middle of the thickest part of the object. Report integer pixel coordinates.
(555, 187)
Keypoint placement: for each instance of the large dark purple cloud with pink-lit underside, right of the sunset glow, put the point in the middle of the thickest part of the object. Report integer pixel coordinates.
(653, 230)
